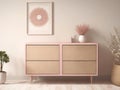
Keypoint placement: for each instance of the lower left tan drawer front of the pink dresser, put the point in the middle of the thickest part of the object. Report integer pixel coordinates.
(43, 67)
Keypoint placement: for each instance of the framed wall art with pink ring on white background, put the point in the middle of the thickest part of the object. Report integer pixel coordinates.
(39, 18)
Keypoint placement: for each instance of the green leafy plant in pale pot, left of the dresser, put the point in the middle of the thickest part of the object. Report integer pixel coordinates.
(4, 58)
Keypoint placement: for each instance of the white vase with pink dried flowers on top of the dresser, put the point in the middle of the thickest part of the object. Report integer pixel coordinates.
(81, 30)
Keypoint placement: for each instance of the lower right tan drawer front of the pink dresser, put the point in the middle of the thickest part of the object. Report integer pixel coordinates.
(84, 67)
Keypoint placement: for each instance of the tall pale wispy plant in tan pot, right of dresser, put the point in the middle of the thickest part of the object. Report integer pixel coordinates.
(115, 50)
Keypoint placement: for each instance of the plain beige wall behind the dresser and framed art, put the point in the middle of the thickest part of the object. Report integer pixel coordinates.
(101, 15)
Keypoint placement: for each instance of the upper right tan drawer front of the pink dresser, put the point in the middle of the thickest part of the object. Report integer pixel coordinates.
(79, 52)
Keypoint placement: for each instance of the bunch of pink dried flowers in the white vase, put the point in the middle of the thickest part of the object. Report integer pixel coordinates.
(82, 29)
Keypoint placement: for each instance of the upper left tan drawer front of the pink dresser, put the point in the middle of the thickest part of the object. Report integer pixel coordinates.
(42, 52)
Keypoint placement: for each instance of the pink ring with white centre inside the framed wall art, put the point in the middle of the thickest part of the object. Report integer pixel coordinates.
(39, 17)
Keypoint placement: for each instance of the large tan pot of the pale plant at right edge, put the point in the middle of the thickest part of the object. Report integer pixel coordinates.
(115, 77)
